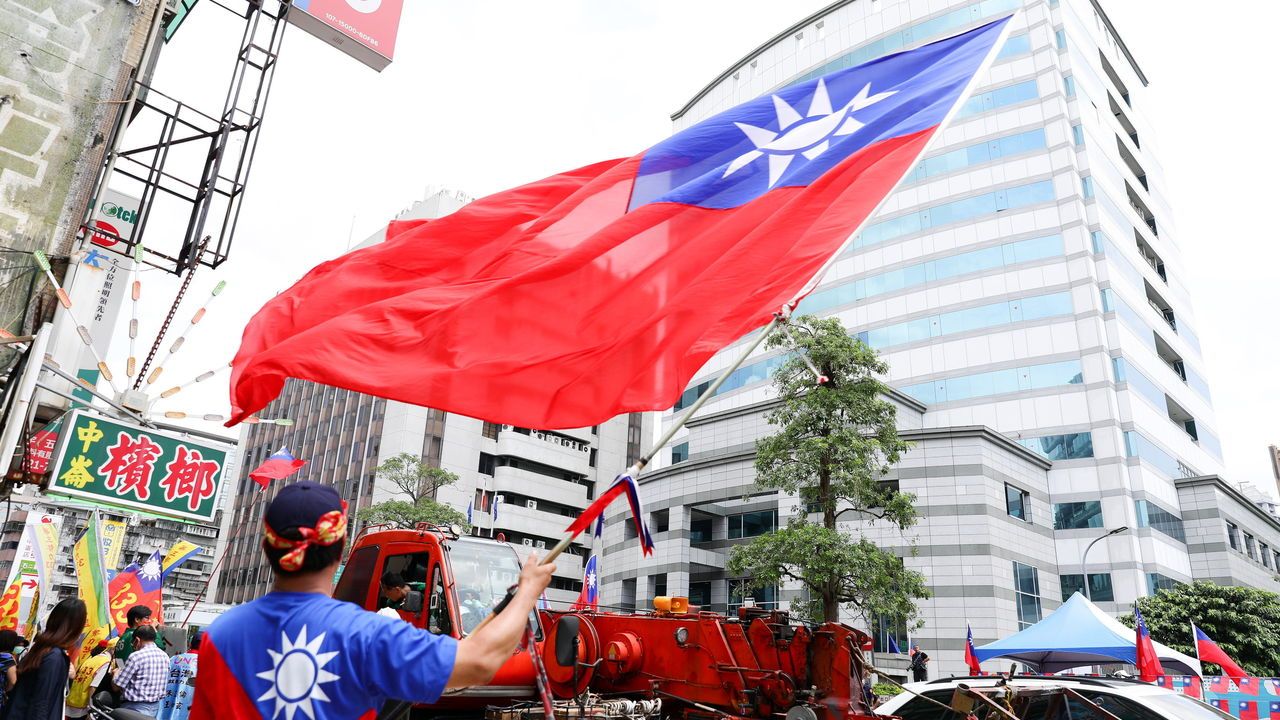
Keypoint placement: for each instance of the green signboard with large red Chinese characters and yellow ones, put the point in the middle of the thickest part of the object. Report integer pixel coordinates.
(111, 463)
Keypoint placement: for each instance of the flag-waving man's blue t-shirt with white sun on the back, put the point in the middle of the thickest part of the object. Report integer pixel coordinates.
(307, 655)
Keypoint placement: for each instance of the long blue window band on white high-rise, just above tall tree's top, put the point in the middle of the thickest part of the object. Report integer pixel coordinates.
(944, 268)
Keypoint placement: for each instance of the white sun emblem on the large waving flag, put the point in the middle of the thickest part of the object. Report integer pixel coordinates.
(810, 135)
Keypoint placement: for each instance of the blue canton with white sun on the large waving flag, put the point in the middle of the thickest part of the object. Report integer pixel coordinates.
(792, 136)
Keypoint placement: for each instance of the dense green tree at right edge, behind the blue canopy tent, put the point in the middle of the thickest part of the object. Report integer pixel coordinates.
(1244, 622)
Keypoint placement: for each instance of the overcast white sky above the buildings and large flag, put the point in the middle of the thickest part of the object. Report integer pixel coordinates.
(486, 95)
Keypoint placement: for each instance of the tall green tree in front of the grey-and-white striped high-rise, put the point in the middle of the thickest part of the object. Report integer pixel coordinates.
(834, 445)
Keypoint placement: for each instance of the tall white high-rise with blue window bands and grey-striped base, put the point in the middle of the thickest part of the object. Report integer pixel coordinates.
(1027, 288)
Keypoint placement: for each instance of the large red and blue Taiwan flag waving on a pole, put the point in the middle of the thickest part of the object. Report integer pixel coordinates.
(604, 290)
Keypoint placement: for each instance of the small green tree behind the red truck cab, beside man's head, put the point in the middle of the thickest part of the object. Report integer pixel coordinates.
(420, 482)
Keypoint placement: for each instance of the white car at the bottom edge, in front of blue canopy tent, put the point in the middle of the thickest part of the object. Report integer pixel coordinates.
(1045, 699)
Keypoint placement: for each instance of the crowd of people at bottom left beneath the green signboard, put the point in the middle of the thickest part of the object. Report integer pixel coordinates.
(52, 678)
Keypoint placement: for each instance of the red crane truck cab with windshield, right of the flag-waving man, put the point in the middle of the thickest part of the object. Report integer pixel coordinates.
(460, 580)
